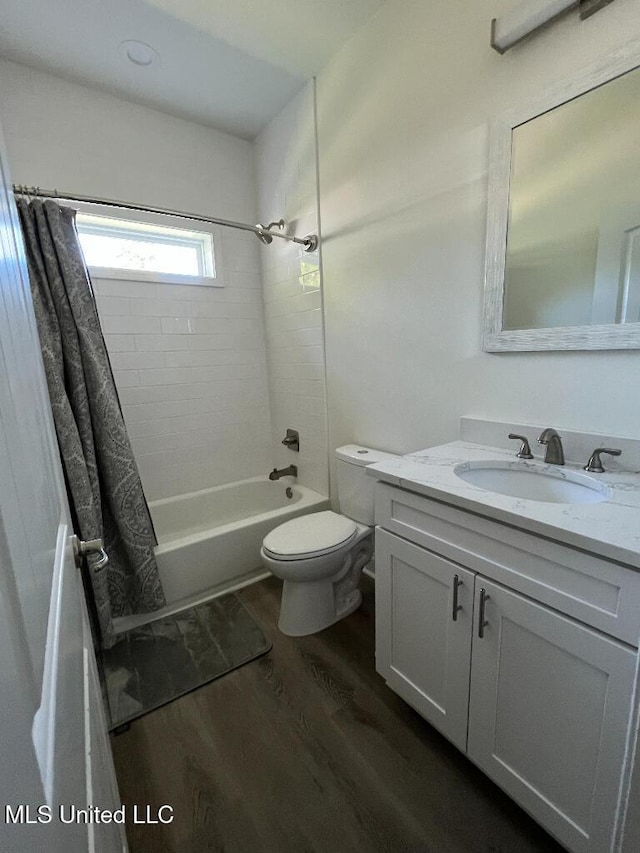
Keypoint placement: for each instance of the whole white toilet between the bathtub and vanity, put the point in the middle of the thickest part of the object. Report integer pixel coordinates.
(320, 556)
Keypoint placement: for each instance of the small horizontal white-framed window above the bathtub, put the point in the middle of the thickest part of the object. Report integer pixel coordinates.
(134, 245)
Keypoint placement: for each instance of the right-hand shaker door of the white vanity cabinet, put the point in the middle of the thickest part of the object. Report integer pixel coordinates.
(549, 708)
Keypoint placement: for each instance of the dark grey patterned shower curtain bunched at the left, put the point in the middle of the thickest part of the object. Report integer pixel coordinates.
(103, 484)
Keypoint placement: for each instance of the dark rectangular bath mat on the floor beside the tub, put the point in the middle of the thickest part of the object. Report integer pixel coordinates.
(162, 660)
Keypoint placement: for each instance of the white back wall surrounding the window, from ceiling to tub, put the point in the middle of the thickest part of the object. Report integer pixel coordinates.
(189, 362)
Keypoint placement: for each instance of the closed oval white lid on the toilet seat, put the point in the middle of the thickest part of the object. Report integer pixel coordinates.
(310, 535)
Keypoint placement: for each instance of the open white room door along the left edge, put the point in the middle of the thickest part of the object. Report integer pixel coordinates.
(47, 666)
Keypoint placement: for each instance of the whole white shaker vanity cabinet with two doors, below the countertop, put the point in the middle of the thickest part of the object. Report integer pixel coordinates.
(525, 679)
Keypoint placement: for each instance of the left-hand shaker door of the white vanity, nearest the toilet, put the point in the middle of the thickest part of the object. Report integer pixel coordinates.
(424, 609)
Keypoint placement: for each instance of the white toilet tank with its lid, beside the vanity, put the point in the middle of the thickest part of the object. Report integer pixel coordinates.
(355, 486)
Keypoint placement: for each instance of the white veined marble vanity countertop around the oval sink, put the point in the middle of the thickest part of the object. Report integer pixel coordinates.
(610, 528)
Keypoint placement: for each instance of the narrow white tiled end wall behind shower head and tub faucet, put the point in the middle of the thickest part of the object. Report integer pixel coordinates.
(285, 156)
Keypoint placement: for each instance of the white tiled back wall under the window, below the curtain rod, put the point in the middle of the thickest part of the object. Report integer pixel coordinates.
(190, 367)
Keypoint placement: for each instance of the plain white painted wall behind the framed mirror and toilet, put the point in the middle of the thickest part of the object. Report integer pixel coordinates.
(403, 117)
